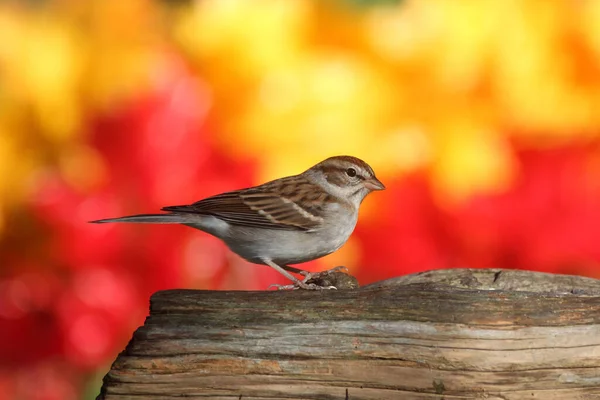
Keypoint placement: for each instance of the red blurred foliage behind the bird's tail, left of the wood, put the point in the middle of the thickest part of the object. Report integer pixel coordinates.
(82, 307)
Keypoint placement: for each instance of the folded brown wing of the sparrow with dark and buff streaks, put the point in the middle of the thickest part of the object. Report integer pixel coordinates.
(261, 207)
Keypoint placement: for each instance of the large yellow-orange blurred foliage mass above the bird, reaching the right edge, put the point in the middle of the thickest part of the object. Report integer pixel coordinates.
(458, 73)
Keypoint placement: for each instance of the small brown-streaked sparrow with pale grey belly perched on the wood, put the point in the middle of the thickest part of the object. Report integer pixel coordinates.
(286, 221)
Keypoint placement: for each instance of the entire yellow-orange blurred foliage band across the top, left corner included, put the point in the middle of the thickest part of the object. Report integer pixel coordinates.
(436, 85)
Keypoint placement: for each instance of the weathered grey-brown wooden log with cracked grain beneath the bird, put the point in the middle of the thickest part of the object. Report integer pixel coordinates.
(447, 334)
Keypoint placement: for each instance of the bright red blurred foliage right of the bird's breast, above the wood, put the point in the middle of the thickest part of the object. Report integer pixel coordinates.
(548, 220)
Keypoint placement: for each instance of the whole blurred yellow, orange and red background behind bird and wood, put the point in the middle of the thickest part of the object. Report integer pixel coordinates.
(482, 118)
